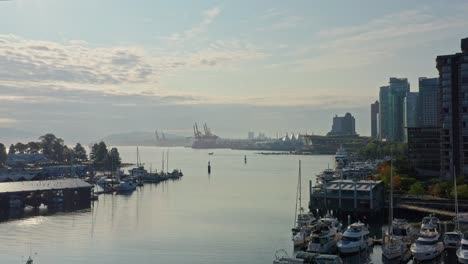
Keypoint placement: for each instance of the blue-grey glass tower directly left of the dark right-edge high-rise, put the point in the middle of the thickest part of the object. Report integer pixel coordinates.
(428, 105)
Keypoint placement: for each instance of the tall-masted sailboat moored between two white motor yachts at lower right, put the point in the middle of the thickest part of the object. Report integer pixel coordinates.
(392, 248)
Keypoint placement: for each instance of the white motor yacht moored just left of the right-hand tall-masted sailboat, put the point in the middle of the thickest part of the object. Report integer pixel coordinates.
(354, 239)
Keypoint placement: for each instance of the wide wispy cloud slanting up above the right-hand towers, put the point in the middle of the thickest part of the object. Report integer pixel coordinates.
(376, 40)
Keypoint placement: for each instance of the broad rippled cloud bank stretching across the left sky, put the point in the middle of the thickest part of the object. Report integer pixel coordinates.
(27, 63)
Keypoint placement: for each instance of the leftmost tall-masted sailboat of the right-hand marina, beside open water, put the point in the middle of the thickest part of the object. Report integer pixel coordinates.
(302, 220)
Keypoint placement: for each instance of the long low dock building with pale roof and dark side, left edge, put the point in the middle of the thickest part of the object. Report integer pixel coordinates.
(71, 193)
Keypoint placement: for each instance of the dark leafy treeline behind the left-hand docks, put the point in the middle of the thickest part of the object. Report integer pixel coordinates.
(55, 150)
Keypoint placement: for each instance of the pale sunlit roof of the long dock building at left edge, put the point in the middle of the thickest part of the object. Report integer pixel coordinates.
(31, 186)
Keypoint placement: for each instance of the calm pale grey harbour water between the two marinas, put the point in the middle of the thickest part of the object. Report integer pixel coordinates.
(241, 213)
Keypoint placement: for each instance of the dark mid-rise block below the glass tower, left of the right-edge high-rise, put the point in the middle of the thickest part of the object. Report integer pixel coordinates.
(424, 150)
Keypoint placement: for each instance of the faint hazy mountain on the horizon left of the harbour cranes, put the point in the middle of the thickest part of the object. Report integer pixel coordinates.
(143, 138)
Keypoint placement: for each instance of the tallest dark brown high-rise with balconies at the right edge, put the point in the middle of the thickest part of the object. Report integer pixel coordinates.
(453, 77)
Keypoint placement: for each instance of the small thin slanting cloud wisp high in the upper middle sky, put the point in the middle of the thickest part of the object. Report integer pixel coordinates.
(208, 17)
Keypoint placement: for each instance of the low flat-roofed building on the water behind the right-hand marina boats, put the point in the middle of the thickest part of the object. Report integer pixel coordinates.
(348, 196)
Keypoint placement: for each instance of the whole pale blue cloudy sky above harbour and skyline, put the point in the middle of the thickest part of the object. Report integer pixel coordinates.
(86, 69)
